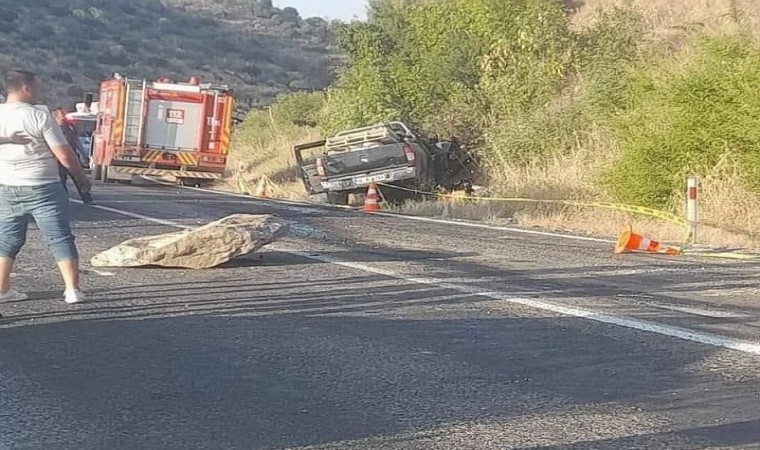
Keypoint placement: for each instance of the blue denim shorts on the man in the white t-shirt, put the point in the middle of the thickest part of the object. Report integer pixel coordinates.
(48, 205)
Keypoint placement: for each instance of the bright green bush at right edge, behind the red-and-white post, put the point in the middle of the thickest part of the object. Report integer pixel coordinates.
(684, 115)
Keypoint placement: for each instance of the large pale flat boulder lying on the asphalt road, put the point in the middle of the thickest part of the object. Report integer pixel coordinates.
(200, 248)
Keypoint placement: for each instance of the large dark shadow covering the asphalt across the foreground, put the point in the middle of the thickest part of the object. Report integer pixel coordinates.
(209, 380)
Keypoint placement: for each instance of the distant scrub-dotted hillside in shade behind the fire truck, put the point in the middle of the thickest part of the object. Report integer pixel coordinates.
(258, 49)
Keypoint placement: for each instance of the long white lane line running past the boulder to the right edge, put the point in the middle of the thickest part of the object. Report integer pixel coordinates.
(686, 334)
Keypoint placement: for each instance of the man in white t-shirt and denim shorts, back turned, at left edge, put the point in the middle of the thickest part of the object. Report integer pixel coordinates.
(30, 187)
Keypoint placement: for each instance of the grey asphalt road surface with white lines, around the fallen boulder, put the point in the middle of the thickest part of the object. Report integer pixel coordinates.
(377, 332)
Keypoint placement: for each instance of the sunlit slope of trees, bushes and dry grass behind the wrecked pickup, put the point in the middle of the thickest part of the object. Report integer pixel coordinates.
(614, 101)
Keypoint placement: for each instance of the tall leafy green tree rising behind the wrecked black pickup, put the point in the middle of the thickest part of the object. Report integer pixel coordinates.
(416, 58)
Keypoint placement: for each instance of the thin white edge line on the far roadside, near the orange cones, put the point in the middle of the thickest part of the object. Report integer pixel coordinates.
(294, 205)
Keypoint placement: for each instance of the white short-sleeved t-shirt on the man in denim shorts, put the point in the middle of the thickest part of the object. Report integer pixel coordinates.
(32, 164)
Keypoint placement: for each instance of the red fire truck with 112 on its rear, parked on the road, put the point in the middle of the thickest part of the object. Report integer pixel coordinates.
(162, 128)
